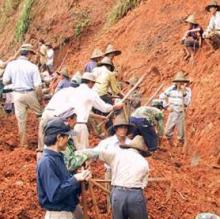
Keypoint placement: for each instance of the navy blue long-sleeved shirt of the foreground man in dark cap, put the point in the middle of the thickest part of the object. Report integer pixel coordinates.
(57, 189)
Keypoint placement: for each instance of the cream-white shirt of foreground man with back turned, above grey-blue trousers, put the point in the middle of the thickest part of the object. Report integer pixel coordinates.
(129, 168)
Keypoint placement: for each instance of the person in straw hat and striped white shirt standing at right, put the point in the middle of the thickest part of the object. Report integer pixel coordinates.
(176, 99)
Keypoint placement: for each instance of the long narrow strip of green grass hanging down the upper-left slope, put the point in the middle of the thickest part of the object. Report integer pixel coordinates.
(24, 20)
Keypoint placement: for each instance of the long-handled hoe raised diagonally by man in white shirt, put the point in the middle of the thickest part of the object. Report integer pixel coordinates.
(153, 69)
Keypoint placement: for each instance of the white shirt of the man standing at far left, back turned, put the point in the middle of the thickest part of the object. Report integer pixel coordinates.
(22, 74)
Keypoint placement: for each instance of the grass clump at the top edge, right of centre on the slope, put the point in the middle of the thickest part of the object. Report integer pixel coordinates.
(121, 9)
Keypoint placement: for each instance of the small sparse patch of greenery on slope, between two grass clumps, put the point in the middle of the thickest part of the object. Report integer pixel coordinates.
(82, 21)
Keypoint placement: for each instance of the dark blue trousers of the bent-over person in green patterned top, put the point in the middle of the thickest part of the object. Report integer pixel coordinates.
(145, 129)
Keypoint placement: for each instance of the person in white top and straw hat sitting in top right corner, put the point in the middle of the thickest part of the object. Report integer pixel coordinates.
(212, 33)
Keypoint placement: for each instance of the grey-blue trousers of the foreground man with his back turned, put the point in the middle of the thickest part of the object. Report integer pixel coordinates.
(128, 204)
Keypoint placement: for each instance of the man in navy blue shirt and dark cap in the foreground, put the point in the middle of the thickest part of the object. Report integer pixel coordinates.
(58, 190)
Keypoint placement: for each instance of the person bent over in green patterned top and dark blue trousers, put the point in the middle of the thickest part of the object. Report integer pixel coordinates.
(148, 121)
